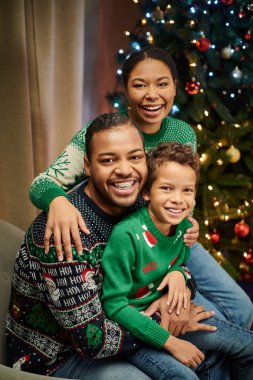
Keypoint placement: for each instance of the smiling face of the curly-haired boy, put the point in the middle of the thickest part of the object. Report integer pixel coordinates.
(172, 195)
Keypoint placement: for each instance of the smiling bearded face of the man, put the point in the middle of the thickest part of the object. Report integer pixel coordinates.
(117, 169)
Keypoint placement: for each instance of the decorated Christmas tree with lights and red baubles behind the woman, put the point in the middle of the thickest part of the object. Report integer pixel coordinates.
(211, 43)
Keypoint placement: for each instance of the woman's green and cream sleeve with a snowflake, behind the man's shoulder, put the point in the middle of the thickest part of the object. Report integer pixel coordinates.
(62, 175)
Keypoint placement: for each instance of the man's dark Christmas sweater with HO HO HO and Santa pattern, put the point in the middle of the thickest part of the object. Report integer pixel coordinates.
(55, 307)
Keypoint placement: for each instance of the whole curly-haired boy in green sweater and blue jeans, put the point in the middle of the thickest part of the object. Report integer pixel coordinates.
(145, 252)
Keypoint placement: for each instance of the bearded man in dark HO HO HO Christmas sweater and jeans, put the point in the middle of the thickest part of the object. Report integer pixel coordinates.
(55, 323)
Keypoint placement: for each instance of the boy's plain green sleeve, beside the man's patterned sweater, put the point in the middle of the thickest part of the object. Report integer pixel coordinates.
(118, 262)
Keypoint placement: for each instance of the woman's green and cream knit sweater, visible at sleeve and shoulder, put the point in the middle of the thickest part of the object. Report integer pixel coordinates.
(67, 170)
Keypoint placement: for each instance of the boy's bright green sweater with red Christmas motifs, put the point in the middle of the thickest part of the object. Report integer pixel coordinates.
(135, 261)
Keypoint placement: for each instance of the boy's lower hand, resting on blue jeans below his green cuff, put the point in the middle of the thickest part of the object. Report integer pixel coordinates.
(184, 351)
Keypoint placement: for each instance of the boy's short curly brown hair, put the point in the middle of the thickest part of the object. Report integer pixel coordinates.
(170, 152)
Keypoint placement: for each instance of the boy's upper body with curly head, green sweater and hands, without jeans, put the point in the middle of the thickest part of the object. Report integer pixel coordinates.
(148, 245)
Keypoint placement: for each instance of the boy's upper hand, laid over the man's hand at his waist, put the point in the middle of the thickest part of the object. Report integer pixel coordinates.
(177, 296)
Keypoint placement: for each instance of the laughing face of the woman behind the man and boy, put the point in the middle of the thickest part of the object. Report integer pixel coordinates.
(151, 91)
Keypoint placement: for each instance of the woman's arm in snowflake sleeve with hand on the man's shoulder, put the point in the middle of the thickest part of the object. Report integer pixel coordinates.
(48, 192)
